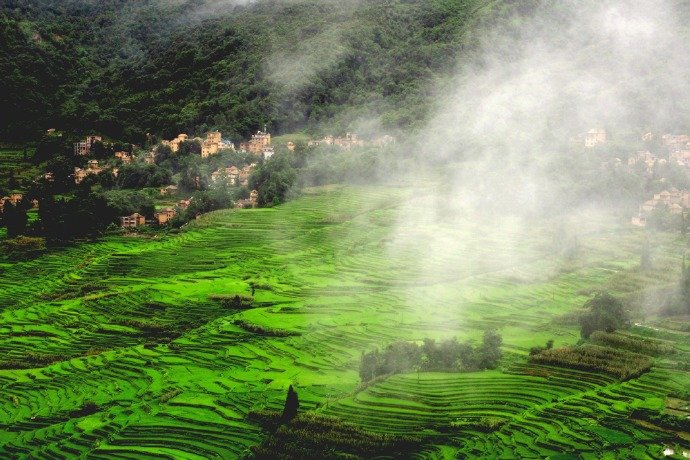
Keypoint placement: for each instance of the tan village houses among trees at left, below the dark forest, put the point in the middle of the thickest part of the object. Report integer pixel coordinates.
(100, 161)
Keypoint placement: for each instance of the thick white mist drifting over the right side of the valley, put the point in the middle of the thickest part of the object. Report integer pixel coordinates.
(503, 131)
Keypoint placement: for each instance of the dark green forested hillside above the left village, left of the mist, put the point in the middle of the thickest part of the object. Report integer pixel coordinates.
(125, 68)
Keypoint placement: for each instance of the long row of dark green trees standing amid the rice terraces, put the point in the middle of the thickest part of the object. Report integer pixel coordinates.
(446, 356)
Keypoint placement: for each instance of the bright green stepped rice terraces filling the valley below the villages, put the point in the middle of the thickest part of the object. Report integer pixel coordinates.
(162, 346)
